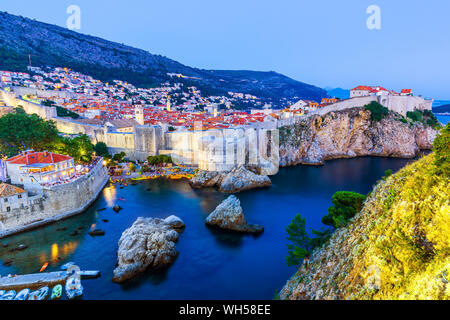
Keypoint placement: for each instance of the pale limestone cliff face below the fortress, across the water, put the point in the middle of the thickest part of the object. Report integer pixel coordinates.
(351, 133)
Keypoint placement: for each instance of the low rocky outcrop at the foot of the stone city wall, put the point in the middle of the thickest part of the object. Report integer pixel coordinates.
(237, 180)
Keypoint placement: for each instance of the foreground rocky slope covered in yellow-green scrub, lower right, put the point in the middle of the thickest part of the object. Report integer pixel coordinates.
(397, 247)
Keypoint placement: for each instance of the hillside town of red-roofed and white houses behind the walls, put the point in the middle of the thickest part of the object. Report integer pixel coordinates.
(171, 105)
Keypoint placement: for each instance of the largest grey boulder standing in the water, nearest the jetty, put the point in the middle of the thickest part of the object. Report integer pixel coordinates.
(148, 243)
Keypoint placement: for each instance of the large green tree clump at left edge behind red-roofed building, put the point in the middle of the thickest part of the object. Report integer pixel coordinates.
(20, 131)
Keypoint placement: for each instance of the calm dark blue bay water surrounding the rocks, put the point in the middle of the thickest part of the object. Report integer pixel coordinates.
(211, 264)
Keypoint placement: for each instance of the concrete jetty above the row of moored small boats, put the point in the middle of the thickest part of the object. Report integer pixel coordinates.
(37, 280)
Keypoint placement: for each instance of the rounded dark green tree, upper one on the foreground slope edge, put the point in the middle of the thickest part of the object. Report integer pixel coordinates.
(346, 205)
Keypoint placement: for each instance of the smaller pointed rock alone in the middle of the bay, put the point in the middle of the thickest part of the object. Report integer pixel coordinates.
(228, 215)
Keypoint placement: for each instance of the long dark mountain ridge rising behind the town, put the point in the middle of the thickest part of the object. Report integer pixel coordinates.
(54, 46)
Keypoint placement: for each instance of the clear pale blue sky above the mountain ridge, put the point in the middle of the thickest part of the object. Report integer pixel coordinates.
(322, 42)
